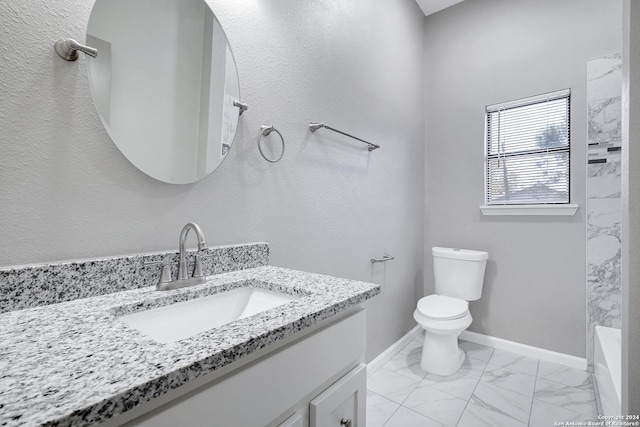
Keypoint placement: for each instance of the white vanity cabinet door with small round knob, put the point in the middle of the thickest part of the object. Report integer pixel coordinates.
(344, 403)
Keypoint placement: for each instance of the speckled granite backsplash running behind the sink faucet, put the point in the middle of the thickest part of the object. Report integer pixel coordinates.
(36, 285)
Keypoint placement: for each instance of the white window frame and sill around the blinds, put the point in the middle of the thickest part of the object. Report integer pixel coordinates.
(542, 208)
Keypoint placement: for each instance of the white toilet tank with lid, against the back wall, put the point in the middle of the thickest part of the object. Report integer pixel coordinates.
(459, 273)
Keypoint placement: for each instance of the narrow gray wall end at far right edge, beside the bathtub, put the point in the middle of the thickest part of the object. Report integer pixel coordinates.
(631, 210)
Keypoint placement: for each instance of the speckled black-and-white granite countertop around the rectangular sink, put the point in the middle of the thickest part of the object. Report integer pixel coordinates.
(75, 363)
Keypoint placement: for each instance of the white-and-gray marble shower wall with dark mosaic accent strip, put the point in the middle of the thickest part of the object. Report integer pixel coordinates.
(604, 216)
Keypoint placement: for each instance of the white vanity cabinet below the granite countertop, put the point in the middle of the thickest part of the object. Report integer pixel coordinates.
(311, 379)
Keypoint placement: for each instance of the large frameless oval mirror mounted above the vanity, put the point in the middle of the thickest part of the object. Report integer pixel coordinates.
(164, 84)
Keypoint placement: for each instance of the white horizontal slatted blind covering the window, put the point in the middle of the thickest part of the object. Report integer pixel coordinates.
(528, 148)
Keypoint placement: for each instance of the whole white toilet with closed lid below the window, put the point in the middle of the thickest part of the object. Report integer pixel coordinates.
(459, 275)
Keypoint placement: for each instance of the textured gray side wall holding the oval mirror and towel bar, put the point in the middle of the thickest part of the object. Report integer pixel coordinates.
(67, 192)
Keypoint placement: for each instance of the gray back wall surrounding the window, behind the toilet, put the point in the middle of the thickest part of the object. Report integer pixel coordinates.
(484, 52)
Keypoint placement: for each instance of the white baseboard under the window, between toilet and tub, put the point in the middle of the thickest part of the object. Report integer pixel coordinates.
(526, 350)
